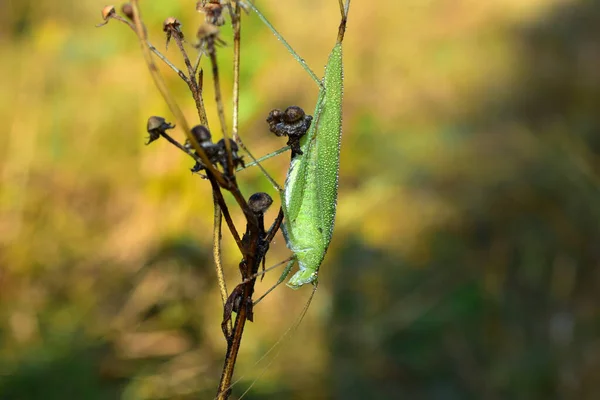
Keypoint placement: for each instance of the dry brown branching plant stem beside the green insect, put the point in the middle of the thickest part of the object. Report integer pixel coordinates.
(255, 242)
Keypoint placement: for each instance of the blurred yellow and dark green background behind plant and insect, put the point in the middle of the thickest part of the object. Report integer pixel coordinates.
(465, 260)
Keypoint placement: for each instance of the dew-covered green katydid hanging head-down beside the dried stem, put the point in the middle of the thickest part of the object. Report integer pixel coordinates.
(309, 196)
